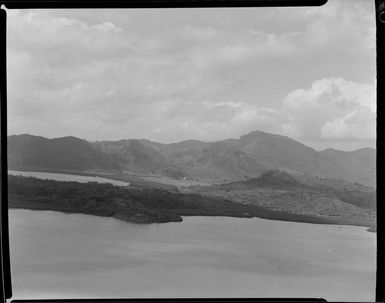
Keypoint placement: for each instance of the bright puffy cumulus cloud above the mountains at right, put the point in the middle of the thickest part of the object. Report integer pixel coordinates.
(331, 108)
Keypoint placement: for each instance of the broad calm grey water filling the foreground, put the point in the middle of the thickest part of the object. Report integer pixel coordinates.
(67, 256)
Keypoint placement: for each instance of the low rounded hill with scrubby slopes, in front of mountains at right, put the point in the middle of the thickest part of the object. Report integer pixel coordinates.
(300, 194)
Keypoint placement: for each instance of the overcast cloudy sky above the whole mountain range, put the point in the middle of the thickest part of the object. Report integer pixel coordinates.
(170, 75)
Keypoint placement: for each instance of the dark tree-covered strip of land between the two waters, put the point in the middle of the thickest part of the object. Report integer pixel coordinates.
(133, 204)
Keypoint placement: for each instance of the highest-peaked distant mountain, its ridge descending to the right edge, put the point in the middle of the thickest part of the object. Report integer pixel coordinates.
(277, 151)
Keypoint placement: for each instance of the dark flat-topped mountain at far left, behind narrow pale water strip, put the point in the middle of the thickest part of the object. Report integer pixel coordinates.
(68, 153)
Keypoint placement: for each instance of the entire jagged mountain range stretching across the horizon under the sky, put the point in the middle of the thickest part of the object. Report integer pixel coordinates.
(223, 161)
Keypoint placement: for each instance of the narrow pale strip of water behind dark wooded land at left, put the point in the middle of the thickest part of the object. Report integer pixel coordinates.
(66, 177)
